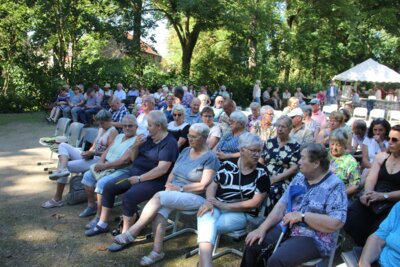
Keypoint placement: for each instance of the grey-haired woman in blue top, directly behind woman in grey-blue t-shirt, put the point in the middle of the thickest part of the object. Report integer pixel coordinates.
(228, 146)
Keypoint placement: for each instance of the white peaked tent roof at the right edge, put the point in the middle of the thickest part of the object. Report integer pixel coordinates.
(369, 71)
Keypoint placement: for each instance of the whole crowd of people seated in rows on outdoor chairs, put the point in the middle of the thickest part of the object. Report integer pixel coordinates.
(189, 155)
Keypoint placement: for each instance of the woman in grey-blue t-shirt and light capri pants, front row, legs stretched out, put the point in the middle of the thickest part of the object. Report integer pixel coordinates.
(193, 171)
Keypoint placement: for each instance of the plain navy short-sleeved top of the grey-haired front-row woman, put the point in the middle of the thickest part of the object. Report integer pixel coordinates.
(151, 153)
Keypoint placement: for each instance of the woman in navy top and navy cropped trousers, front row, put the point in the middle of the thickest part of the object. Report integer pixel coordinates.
(152, 160)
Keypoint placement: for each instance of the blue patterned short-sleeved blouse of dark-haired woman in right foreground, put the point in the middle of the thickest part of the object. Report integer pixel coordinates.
(326, 197)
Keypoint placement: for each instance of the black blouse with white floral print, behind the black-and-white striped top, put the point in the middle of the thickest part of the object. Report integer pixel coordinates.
(278, 159)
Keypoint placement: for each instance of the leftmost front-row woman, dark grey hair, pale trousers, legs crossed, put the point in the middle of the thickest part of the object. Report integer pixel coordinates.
(72, 159)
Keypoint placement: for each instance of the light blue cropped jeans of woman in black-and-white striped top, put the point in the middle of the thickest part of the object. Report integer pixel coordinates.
(220, 222)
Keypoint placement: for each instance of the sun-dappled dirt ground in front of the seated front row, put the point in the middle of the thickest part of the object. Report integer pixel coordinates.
(33, 236)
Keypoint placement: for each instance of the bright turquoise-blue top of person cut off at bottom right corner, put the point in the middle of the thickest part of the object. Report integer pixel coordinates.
(389, 230)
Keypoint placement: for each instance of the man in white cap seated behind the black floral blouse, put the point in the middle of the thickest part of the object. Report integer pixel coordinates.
(299, 132)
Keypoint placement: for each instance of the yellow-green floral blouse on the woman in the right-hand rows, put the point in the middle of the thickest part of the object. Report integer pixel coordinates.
(346, 168)
